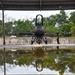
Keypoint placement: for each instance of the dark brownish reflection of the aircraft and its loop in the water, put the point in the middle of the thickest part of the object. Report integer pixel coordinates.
(39, 57)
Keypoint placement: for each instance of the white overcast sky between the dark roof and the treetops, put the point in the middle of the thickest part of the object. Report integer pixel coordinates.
(30, 14)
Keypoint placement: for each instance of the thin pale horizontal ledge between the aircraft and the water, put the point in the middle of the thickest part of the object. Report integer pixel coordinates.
(34, 45)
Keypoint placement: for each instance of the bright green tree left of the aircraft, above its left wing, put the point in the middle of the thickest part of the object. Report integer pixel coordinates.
(22, 26)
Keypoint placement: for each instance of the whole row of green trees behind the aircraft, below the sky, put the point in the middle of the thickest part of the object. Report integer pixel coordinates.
(58, 23)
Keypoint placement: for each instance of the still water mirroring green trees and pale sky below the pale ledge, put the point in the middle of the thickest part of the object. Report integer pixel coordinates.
(40, 59)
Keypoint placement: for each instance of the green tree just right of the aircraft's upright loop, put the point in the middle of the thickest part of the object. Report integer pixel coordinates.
(49, 23)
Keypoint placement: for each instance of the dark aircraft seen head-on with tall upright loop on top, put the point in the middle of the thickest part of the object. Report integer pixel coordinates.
(38, 34)
